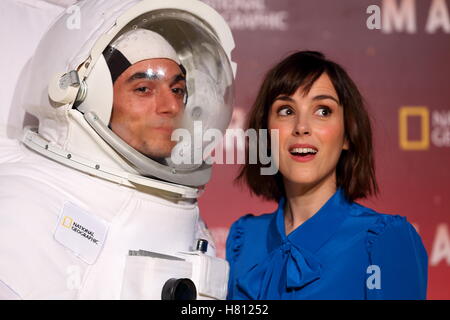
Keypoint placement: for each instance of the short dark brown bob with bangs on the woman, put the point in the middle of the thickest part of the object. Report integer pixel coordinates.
(355, 171)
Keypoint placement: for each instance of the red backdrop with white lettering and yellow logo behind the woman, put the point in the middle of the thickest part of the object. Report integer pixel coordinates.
(402, 70)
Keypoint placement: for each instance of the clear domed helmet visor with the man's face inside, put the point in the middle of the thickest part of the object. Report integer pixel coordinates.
(191, 91)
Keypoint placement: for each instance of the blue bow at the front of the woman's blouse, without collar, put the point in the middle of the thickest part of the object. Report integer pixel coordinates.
(265, 280)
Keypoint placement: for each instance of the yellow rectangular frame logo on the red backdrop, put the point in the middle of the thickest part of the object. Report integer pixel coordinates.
(404, 114)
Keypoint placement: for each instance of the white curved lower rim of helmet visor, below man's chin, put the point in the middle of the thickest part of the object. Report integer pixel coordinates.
(146, 166)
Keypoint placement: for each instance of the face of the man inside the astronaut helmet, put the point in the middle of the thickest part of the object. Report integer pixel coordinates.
(148, 104)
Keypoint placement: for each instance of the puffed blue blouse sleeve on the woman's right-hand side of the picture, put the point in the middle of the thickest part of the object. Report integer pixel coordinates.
(398, 261)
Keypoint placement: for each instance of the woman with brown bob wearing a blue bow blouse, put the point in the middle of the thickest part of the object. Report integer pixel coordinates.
(319, 243)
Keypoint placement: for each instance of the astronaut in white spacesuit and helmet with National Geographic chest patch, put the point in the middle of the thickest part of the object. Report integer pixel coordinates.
(92, 205)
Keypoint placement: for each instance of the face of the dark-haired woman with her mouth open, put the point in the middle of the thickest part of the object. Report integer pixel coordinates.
(311, 133)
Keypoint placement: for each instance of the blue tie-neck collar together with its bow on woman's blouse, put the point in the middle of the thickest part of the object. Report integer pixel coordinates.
(292, 265)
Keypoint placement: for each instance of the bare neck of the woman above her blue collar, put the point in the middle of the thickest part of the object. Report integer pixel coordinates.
(303, 201)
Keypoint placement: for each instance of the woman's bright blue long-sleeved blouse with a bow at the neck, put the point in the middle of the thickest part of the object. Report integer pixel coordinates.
(344, 251)
